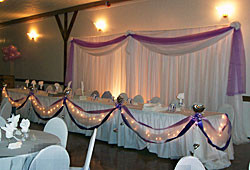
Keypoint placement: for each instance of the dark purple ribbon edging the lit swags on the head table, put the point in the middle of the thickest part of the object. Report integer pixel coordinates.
(187, 122)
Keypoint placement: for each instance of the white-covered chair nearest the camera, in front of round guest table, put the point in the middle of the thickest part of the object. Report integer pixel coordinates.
(53, 157)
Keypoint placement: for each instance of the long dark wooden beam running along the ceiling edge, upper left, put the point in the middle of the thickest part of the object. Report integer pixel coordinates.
(60, 11)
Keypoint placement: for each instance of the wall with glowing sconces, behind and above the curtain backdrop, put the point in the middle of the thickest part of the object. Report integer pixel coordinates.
(44, 59)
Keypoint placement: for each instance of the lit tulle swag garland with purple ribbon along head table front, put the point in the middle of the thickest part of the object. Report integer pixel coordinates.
(89, 120)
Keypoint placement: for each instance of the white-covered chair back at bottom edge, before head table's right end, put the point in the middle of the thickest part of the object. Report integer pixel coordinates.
(189, 163)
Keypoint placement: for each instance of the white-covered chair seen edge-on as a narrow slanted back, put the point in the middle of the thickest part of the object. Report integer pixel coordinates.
(89, 153)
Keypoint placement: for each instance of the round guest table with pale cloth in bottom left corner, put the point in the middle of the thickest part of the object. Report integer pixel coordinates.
(20, 158)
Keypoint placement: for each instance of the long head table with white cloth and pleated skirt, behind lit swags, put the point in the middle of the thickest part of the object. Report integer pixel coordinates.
(114, 131)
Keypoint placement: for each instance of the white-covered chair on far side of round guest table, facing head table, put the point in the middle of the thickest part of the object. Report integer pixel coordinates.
(58, 127)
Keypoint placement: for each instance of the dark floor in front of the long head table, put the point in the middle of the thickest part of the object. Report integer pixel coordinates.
(112, 157)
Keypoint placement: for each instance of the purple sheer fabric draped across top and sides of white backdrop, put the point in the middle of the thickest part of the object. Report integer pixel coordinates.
(237, 67)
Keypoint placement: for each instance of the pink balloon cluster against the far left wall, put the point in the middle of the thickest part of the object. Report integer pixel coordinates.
(10, 53)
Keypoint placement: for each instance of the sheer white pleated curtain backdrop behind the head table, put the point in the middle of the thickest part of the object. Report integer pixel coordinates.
(136, 68)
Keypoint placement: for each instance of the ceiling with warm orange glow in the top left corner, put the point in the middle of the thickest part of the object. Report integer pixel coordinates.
(16, 9)
